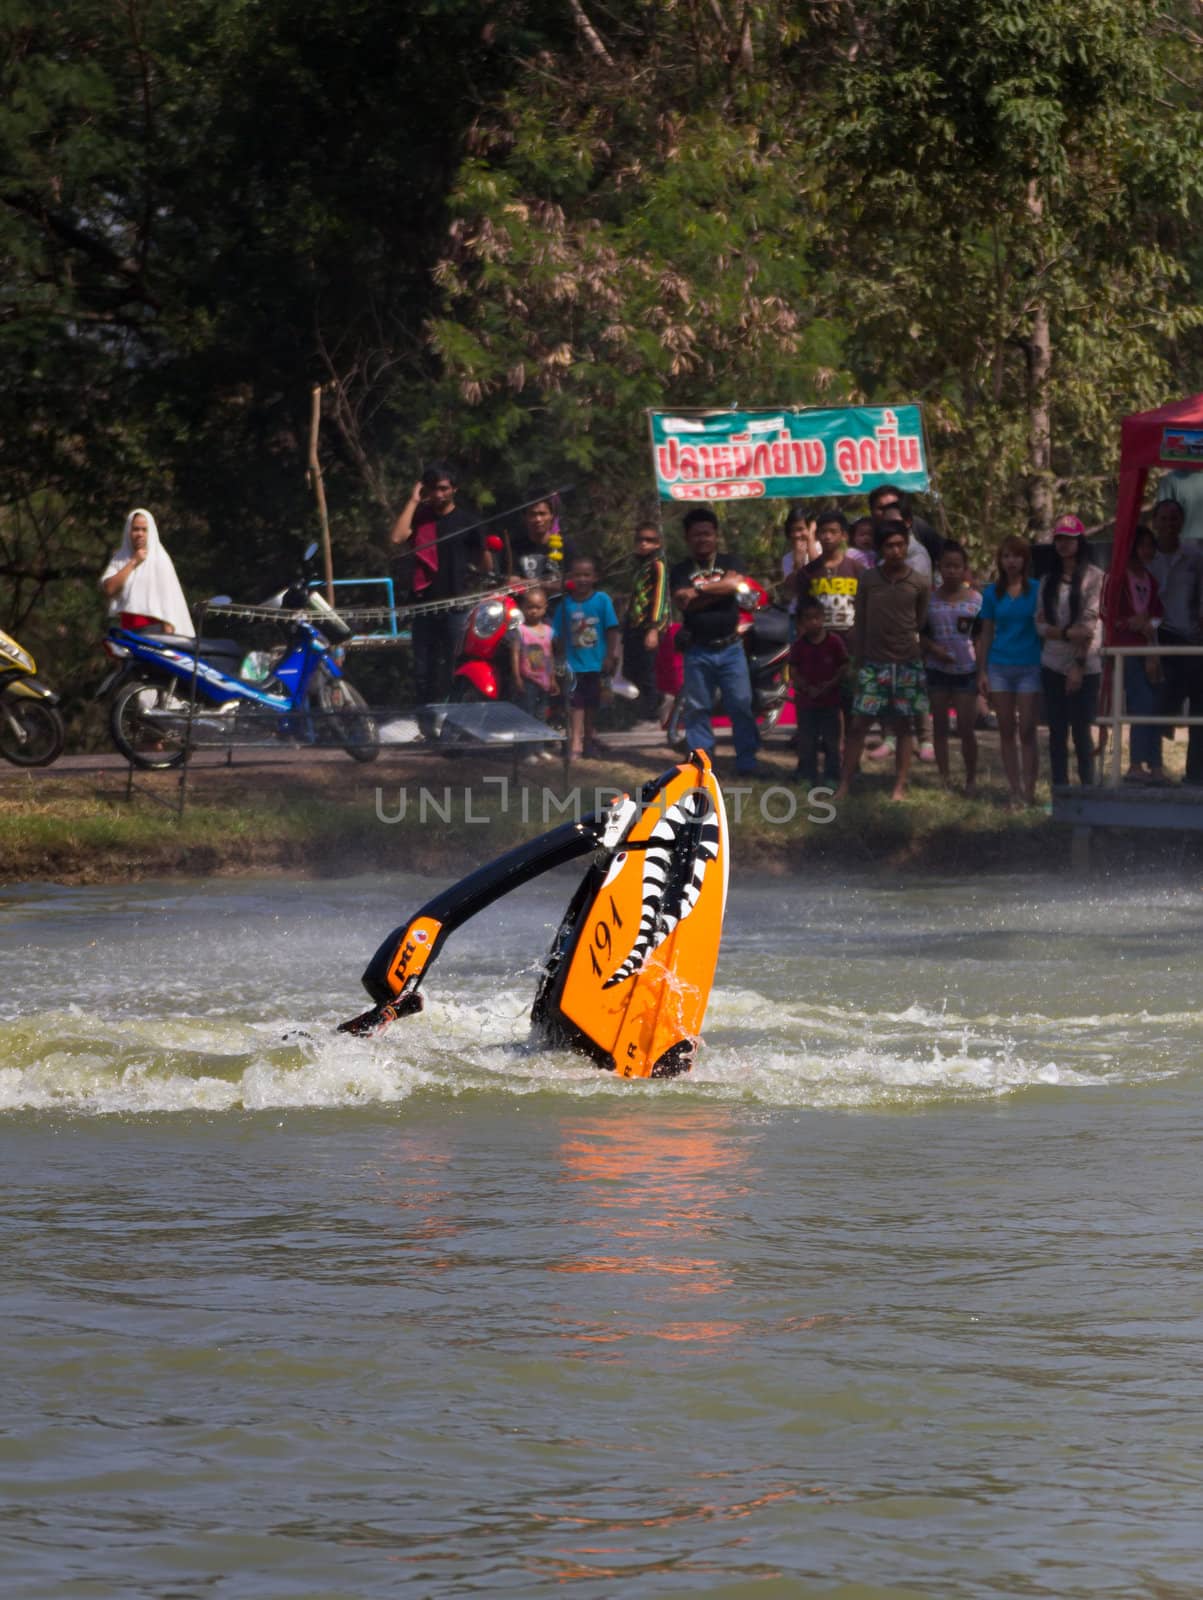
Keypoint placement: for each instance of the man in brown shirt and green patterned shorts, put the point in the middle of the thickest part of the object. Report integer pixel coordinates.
(892, 609)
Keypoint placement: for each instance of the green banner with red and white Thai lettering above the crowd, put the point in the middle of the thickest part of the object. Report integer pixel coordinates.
(786, 455)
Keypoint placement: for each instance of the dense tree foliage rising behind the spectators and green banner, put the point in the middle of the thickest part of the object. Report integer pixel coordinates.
(498, 233)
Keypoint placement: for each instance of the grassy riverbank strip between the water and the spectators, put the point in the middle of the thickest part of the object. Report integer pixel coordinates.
(327, 820)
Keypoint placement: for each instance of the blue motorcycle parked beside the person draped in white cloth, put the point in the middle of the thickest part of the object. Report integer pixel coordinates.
(298, 695)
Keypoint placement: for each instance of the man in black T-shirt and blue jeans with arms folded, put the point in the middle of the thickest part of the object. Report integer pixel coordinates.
(705, 590)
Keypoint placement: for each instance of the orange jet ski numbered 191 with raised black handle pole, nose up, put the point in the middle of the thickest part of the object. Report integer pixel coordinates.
(631, 967)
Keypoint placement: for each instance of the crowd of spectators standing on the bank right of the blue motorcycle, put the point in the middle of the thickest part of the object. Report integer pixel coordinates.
(898, 644)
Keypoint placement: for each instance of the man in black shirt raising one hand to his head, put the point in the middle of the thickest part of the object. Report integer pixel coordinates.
(444, 554)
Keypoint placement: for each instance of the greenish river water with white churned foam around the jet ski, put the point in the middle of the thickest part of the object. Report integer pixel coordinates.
(901, 1294)
